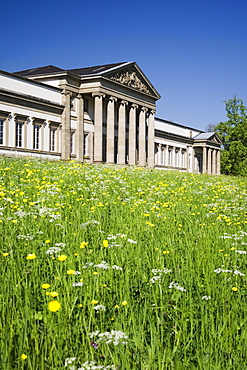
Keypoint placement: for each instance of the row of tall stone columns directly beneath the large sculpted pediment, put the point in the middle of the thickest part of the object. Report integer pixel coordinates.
(129, 131)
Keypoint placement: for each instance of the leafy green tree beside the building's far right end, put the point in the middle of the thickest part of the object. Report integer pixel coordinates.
(233, 134)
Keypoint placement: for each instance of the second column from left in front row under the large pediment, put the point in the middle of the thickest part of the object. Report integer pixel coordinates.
(110, 130)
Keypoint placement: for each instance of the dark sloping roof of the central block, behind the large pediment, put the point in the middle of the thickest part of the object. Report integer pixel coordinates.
(78, 71)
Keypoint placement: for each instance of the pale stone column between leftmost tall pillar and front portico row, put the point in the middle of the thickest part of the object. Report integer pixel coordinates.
(80, 128)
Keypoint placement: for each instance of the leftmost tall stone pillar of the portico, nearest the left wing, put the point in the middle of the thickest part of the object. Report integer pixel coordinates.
(65, 134)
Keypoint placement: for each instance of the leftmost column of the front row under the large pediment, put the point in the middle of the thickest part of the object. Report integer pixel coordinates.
(98, 127)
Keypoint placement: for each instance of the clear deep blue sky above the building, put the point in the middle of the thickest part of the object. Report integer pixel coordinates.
(194, 52)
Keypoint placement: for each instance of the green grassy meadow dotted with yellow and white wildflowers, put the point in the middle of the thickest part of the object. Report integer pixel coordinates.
(107, 267)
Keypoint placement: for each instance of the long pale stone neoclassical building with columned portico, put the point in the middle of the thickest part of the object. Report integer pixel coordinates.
(101, 114)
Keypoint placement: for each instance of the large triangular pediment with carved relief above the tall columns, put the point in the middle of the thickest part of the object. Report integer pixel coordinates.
(132, 76)
